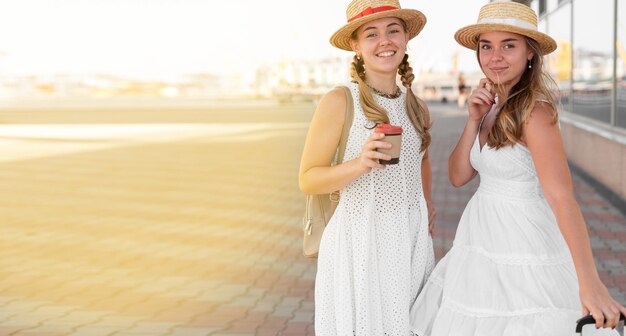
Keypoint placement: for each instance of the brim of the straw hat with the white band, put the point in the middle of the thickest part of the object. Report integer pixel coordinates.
(468, 36)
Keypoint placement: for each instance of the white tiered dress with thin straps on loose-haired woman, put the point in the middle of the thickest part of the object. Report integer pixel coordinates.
(509, 271)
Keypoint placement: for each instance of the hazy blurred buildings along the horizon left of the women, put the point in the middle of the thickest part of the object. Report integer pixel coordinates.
(287, 80)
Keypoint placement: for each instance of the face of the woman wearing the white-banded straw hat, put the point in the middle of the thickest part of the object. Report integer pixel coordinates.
(503, 57)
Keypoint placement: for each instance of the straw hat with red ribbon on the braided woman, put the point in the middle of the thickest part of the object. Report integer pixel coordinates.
(360, 12)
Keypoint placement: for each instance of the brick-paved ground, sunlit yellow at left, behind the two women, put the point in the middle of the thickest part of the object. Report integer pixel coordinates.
(186, 222)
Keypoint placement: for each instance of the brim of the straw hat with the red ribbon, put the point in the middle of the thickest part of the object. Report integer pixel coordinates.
(413, 19)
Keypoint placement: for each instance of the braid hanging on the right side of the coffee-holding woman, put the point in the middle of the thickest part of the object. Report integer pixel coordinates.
(414, 110)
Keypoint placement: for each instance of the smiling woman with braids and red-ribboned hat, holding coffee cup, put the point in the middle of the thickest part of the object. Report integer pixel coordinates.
(376, 251)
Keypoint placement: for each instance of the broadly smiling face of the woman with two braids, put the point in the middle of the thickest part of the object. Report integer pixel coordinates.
(382, 44)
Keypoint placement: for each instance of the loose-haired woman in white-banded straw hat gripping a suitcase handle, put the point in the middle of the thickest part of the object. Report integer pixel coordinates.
(521, 261)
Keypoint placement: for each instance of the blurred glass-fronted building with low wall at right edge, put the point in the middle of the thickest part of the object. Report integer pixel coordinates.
(589, 66)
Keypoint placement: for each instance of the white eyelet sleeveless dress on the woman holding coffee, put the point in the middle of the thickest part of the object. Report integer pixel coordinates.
(376, 252)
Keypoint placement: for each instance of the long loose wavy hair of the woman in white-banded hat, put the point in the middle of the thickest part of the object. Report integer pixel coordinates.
(517, 104)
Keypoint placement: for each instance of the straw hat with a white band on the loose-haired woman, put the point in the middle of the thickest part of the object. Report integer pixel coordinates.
(509, 17)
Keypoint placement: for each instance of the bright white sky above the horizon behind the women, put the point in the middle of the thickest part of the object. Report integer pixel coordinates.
(163, 39)
